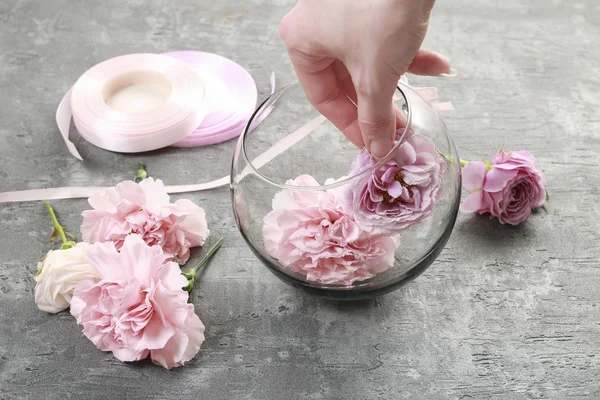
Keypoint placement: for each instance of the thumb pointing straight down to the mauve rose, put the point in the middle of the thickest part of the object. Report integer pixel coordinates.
(377, 121)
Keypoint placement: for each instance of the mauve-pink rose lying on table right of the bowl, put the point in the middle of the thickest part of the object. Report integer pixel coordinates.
(509, 190)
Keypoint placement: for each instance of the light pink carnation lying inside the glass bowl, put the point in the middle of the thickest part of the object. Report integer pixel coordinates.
(308, 232)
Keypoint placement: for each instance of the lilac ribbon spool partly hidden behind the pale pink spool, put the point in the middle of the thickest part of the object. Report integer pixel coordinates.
(231, 97)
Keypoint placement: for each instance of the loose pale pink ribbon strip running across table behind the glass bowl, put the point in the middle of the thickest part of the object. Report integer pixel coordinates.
(278, 148)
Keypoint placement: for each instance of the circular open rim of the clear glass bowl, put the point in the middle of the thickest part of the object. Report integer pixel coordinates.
(347, 179)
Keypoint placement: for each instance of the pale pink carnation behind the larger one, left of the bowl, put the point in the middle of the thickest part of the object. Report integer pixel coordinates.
(144, 209)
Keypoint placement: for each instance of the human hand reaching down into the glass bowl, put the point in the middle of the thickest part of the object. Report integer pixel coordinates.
(349, 56)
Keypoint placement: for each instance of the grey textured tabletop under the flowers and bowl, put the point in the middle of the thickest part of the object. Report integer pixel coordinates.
(504, 312)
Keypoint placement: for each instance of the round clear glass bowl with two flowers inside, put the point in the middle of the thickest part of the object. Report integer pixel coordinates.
(326, 217)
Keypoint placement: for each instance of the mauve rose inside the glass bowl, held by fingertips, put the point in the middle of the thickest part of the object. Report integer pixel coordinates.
(400, 193)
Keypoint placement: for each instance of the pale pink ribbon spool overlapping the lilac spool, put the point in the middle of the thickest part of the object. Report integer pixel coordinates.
(134, 103)
